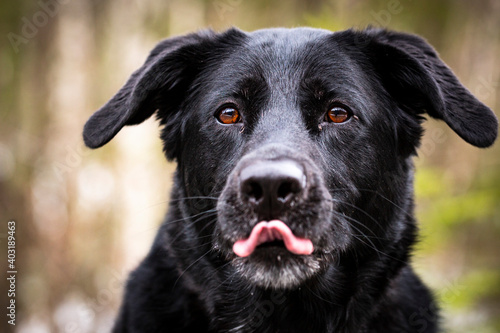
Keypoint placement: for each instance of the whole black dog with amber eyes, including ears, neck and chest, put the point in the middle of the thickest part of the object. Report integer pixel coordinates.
(292, 208)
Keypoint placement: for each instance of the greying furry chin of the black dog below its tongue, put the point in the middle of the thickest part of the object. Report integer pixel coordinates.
(277, 268)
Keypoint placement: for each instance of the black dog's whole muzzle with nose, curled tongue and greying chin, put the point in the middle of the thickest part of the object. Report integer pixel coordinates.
(274, 240)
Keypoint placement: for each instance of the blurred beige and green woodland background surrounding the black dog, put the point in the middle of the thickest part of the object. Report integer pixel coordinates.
(86, 218)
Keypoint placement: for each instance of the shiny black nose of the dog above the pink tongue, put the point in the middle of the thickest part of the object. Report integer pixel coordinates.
(270, 185)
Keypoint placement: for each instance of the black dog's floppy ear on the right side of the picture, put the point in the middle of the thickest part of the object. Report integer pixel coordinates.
(414, 75)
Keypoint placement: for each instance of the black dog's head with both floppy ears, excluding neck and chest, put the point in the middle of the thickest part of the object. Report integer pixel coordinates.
(299, 140)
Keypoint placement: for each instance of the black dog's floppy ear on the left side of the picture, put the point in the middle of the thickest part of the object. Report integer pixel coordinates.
(164, 77)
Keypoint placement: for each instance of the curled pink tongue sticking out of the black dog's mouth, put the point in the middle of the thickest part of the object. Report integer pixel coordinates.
(269, 231)
